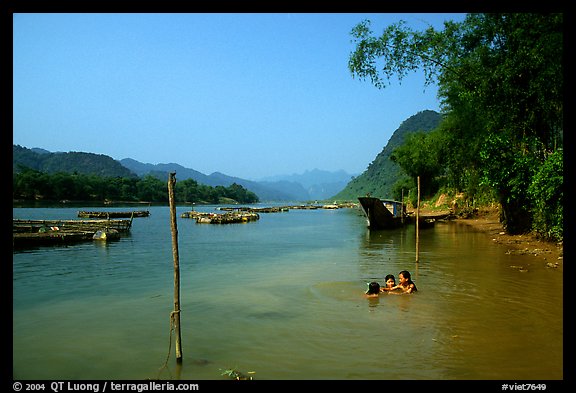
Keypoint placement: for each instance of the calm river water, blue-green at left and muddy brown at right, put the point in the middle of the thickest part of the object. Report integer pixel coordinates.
(282, 298)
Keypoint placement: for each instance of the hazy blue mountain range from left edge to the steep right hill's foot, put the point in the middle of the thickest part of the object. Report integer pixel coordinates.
(312, 185)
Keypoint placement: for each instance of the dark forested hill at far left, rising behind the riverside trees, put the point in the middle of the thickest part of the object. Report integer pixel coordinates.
(79, 162)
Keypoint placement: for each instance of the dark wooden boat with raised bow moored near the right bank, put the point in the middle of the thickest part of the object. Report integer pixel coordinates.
(383, 213)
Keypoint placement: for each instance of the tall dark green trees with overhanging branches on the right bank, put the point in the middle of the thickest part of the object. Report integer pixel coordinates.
(501, 86)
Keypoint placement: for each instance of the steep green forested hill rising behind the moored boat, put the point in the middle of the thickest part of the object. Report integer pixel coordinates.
(382, 174)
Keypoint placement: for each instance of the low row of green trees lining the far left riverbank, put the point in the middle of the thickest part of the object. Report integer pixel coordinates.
(30, 184)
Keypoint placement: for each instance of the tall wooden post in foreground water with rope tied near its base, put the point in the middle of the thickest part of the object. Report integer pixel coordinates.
(176, 313)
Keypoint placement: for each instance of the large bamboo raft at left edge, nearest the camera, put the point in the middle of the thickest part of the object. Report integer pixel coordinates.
(29, 233)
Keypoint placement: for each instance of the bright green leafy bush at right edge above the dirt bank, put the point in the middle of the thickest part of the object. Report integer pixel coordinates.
(547, 192)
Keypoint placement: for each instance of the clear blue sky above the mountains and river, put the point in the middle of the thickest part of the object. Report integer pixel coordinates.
(248, 95)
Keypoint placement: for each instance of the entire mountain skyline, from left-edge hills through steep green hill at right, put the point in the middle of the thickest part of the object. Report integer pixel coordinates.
(378, 179)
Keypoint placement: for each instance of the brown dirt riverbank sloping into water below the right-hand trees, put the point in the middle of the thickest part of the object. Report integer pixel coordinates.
(487, 220)
